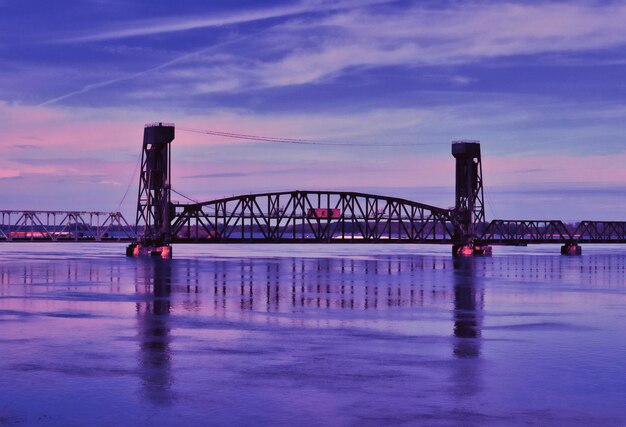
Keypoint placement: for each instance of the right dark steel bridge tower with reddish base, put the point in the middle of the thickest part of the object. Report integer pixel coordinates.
(469, 199)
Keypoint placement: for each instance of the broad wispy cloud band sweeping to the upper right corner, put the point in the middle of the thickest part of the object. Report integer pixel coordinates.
(311, 49)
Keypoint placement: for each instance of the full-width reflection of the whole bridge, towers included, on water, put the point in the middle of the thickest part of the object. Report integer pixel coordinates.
(291, 292)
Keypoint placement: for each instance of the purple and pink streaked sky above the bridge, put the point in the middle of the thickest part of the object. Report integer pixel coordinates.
(539, 83)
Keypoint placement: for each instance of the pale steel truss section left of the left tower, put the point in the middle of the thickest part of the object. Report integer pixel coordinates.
(60, 226)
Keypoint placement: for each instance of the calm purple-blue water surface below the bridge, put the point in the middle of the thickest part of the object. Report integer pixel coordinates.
(311, 335)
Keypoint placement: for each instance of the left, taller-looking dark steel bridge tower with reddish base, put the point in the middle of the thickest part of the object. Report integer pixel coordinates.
(153, 199)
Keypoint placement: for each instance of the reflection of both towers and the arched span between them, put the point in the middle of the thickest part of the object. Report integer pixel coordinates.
(228, 288)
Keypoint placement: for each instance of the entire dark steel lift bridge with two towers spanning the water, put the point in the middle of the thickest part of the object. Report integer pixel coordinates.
(301, 216)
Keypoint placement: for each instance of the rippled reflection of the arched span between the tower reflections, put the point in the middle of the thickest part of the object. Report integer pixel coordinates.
(291, 285)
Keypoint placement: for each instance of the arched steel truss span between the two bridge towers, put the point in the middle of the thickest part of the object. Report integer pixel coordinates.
(311, 216)
